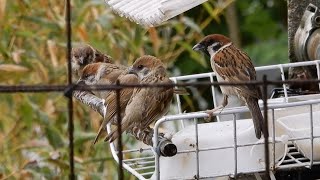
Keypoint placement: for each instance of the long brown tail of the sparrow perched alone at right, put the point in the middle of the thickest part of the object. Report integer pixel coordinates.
(256, 115)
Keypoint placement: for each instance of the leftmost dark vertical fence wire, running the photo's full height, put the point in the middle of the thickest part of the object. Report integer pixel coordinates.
(70, 102)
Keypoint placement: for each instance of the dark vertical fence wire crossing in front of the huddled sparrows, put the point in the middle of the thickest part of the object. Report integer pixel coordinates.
(120, 155)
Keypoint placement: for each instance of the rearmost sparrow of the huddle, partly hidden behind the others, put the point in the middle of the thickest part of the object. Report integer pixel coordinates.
(84, 55)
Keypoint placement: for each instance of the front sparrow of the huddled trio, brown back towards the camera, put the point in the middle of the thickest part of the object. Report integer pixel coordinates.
(146, 104)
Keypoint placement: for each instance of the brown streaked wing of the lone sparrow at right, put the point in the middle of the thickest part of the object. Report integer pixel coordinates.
(233, 65)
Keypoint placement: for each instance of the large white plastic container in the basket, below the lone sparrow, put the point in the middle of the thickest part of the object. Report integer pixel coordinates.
(217, 162)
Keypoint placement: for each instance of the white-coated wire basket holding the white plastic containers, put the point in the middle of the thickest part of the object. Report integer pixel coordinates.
(143, 162)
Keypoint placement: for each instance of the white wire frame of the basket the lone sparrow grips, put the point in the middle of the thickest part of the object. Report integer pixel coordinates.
(152, 161)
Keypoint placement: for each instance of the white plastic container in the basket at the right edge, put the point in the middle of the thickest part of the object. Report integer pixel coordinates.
(298, 126)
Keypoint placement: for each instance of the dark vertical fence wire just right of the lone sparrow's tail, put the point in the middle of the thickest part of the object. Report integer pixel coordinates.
(266, 131)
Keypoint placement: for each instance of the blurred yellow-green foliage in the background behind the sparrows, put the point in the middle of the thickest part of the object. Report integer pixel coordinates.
(33, 126)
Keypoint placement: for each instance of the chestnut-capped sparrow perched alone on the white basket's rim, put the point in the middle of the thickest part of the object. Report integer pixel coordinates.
(230, 64)
